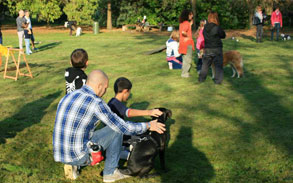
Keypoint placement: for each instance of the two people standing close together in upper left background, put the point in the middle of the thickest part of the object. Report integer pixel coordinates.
(25, 31)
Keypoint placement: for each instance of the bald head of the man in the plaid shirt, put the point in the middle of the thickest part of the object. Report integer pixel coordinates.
(98, 81)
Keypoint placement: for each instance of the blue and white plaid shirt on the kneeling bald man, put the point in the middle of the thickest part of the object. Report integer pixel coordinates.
(77, 115)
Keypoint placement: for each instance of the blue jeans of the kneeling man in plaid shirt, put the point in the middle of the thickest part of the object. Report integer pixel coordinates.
(111, 141)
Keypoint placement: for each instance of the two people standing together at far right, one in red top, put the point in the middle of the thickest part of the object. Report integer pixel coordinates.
(276, 23)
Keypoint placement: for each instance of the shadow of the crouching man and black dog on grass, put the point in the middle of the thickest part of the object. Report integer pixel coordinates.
(186, 163)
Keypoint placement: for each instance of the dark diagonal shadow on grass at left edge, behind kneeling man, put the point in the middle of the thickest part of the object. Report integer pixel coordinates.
(27, 116)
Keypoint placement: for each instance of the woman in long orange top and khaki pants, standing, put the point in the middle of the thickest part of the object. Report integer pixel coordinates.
(186, 43)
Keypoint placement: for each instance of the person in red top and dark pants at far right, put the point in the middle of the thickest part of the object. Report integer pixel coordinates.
(277, 23)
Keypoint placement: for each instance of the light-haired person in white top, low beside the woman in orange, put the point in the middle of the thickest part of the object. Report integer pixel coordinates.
(174, 58)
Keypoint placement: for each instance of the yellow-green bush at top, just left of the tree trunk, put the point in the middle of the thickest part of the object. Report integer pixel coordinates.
(82, 11)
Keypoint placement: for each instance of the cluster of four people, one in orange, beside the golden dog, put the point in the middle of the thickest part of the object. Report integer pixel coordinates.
(209, 46)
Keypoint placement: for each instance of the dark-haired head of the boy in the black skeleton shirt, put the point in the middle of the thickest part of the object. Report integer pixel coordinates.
(79, 57)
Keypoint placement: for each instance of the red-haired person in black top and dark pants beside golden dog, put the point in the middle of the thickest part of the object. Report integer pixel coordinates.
(213, 52)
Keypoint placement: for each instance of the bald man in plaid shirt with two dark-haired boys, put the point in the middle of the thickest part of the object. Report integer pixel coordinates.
(78, 115)
